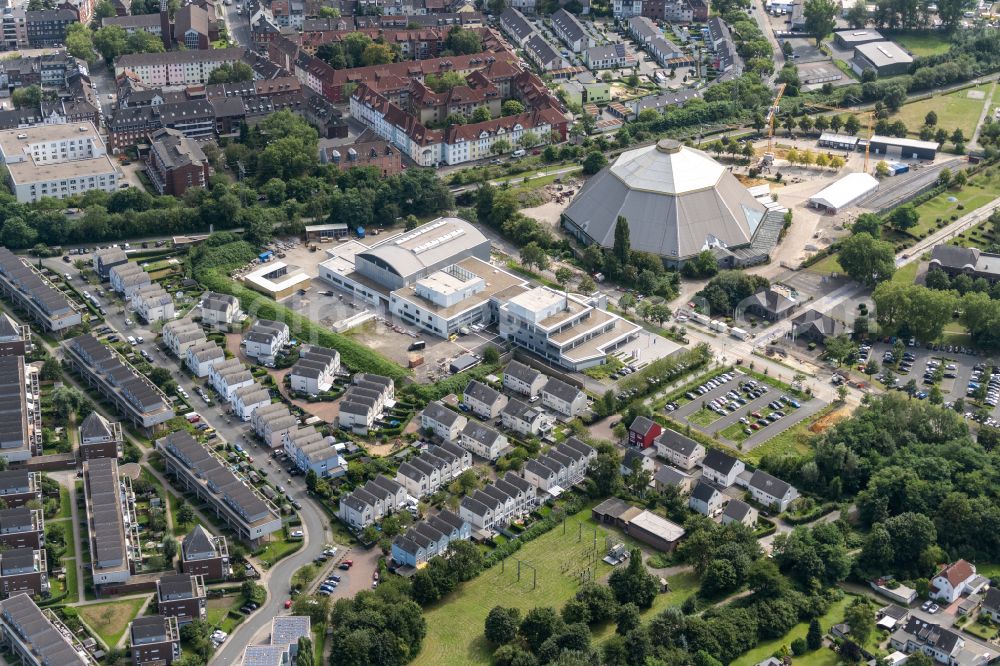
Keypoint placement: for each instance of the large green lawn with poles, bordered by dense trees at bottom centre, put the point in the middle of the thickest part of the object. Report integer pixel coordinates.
(455, 624)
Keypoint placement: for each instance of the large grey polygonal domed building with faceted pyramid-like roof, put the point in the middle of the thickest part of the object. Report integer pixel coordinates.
(678, 201)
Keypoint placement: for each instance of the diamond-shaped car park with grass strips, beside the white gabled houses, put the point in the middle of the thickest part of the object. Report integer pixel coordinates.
(742, 411)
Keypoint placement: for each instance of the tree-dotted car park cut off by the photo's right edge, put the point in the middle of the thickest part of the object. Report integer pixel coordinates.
(957, 373)
